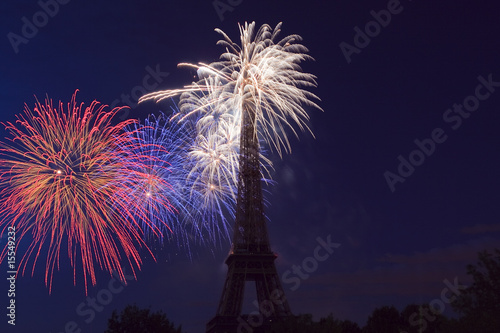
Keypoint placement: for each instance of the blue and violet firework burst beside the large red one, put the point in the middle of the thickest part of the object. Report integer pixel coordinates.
(161, 192)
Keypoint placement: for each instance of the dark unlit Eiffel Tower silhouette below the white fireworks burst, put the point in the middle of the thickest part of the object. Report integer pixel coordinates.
(251, 258)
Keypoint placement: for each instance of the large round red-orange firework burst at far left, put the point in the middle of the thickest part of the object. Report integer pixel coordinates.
(57, 175)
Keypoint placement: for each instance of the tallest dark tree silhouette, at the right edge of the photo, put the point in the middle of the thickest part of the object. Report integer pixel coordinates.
(479, 304)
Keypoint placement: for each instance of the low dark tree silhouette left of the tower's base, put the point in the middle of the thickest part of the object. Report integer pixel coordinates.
(135, 320)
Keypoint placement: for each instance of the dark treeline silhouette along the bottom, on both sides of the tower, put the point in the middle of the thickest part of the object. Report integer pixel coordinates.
(477, 308)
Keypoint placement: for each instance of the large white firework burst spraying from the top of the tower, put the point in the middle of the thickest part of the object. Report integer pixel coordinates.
(263, 73)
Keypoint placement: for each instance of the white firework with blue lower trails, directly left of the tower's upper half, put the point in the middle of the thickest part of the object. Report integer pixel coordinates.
(213, 156)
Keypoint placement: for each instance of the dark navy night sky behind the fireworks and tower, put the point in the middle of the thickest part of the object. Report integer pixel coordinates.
(425, 87)
